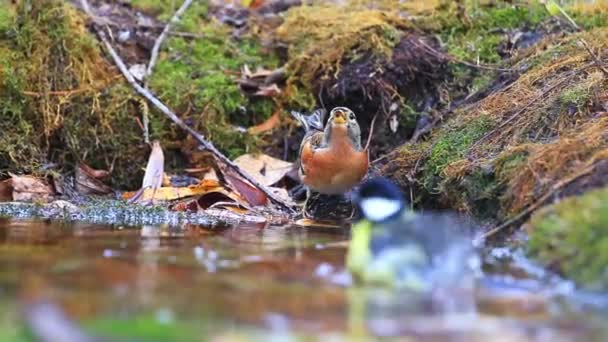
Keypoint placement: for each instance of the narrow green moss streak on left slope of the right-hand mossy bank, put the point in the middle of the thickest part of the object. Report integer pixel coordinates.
(451, 145)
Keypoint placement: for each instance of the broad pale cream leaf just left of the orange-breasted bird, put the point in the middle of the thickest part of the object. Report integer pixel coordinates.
(264, 168)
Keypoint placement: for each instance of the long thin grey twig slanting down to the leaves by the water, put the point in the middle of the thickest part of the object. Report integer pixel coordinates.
(165, 110)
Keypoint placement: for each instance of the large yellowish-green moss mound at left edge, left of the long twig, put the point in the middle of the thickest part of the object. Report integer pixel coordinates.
(60, 100)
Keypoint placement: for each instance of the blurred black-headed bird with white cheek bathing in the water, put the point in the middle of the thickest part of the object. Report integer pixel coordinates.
(393, 246)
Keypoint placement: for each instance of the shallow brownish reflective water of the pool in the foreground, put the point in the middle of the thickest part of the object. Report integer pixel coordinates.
(253, 282)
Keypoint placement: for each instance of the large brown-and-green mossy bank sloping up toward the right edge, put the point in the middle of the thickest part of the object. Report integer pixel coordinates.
(539, 144)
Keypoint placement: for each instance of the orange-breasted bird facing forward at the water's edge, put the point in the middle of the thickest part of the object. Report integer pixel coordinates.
(331, 158)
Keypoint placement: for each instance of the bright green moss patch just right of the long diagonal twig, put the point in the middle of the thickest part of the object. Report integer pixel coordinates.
(196, 76)
